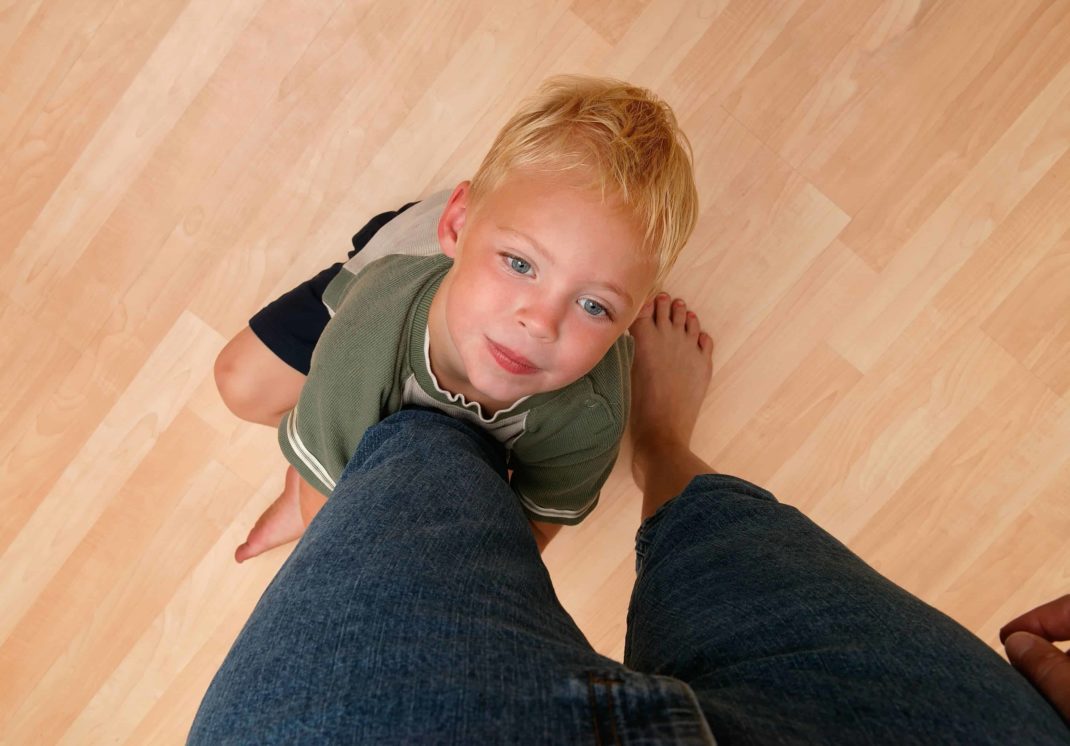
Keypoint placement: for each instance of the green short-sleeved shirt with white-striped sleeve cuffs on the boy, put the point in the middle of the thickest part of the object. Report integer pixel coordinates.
(373, 359)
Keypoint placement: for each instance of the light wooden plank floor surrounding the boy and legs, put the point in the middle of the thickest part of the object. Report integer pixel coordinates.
(883, 257)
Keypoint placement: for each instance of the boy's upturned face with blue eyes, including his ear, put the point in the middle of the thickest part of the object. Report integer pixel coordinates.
(545, 280)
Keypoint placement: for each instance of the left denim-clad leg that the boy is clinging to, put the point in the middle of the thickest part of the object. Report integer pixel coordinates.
(417, 610)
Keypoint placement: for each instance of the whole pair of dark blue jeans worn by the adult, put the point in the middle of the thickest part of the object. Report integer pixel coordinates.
(417, 610)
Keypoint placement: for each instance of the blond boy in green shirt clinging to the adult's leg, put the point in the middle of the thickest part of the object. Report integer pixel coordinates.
(506, 303)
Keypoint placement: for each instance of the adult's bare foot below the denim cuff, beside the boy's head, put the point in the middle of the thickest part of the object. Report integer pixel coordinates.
(669, 379)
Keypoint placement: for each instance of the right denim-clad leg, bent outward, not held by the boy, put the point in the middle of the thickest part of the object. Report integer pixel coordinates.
(788, 637)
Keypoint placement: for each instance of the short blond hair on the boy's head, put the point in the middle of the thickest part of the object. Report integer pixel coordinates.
(625, 135)
